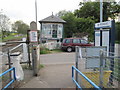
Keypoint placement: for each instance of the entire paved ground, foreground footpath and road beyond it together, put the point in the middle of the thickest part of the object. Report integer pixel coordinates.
(57, 72)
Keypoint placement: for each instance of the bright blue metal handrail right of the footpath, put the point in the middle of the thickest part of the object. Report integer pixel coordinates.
(93, 84)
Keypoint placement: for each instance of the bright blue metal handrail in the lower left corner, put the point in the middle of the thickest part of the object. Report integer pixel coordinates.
(14, 77)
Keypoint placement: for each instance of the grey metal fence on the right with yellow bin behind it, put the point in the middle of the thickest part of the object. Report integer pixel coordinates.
(100, 66)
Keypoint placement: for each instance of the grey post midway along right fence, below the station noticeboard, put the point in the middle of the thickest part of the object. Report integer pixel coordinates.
(101, 69)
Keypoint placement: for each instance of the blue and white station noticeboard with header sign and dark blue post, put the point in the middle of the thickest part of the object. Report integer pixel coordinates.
(105, 36)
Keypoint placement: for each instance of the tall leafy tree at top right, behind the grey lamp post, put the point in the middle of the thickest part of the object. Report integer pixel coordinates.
(92, 10)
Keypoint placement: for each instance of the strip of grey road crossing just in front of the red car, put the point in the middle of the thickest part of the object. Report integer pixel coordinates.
(59, 58)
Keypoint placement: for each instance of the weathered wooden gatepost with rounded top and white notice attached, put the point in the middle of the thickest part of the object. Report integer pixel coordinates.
(34, 41)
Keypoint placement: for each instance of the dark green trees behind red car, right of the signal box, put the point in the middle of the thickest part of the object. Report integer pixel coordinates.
(76, 26)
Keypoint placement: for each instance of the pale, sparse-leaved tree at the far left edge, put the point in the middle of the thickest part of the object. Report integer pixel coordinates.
(4, 25)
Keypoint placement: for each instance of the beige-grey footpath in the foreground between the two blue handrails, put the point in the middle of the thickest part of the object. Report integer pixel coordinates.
(52, 76)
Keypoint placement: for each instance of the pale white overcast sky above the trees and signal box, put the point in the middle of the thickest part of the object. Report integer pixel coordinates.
(25, 9)
